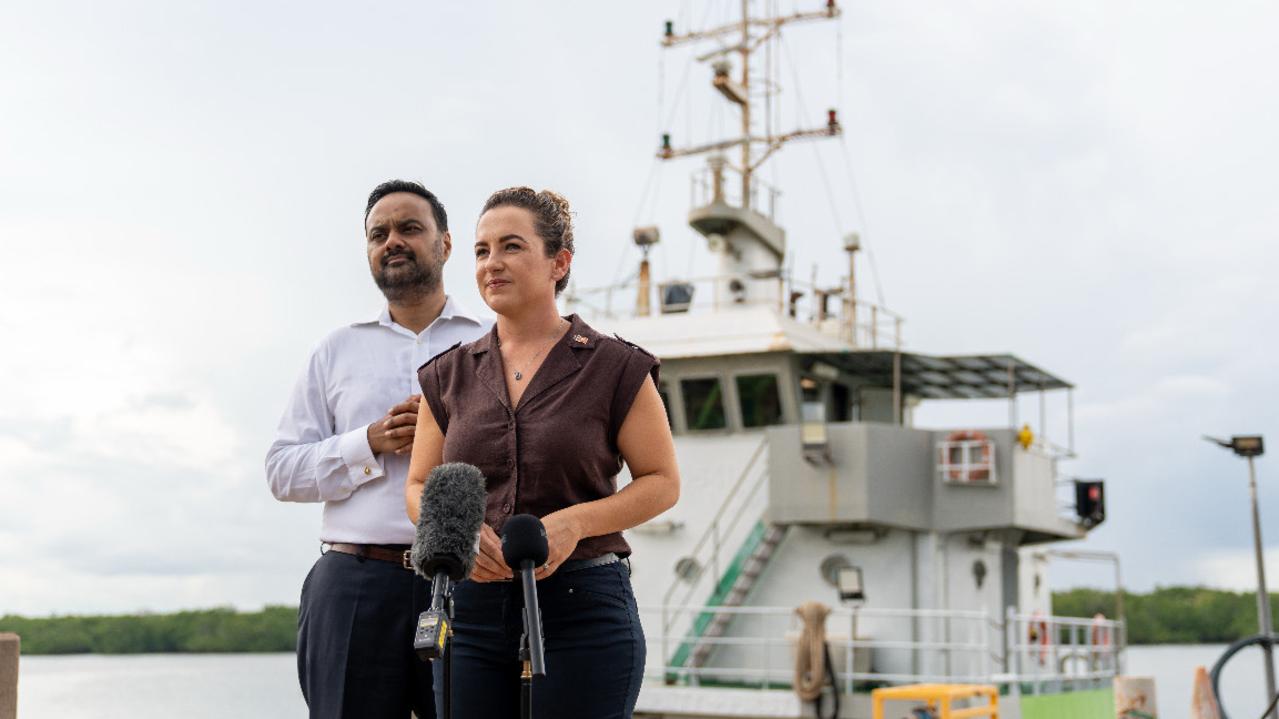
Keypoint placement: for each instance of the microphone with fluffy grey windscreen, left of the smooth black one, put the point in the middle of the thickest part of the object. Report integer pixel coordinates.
(444, 549)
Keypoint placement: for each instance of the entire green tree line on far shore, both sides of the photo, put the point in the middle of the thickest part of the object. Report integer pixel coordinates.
(1166, 616)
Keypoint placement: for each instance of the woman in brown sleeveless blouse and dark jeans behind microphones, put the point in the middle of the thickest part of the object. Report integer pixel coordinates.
(548, 410)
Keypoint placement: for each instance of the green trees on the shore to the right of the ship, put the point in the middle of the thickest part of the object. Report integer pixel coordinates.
(1172, 615)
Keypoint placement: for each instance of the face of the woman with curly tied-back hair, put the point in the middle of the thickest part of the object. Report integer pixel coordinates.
(512, 268)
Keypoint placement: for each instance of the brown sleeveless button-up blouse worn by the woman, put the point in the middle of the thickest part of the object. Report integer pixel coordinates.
(560, 447)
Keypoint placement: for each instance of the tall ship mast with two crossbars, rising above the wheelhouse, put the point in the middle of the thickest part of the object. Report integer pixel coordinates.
(751, 249)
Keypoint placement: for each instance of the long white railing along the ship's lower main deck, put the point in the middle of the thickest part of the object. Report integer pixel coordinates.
(904, 647)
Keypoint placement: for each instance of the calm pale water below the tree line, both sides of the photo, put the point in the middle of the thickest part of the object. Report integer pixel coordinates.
(265, 685)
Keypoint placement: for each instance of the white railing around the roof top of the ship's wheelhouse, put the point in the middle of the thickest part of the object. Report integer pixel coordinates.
(865, 326)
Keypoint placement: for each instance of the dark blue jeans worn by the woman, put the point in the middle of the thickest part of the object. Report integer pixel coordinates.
(595, 648)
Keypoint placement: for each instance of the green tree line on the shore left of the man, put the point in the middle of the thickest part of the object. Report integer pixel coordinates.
(274, 629)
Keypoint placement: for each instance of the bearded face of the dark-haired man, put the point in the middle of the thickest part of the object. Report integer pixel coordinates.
(406, 250)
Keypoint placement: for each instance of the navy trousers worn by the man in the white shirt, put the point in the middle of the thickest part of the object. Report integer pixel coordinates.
(356, 640)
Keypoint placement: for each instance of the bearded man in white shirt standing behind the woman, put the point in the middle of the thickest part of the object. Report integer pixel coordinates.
(345, 441)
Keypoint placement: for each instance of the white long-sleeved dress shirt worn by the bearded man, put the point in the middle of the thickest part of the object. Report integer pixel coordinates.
(322, 448)
